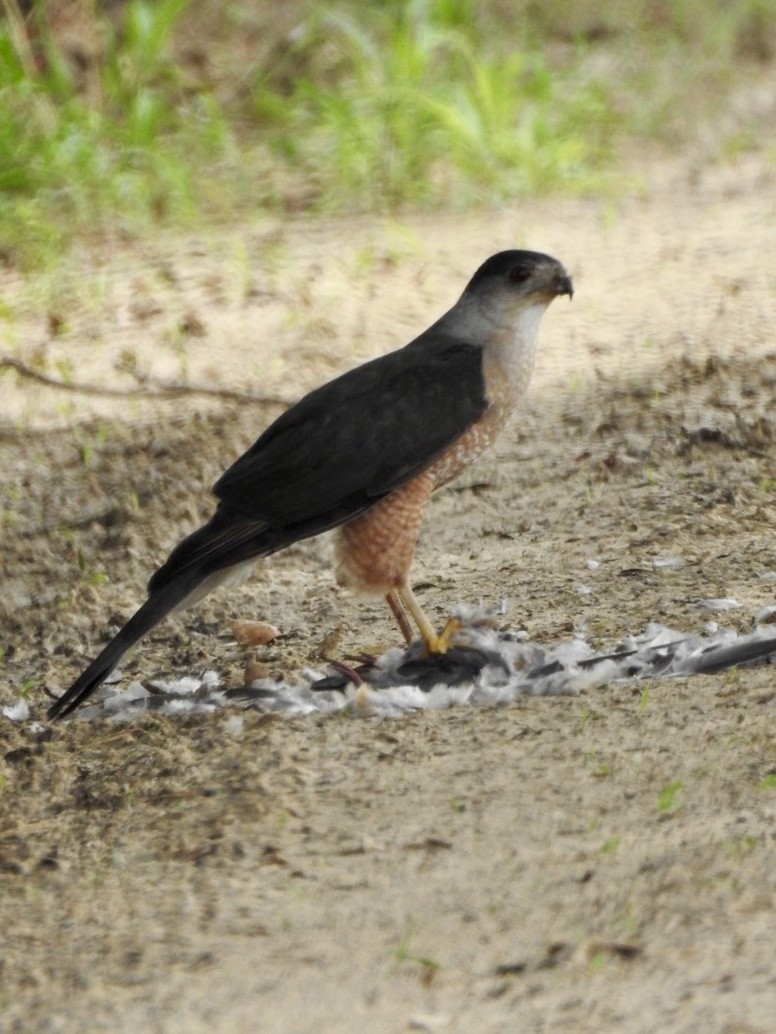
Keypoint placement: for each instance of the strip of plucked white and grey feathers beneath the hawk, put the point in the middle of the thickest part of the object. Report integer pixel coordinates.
(485, 668)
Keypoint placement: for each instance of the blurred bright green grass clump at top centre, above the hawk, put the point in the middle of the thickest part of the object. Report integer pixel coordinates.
(412, 110)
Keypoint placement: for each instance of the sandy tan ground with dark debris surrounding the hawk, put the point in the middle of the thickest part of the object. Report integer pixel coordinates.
(604, 863)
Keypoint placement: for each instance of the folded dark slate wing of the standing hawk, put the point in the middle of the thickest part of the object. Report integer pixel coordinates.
(338, 452)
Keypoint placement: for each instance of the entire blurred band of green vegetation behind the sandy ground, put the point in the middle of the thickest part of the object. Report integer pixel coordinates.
(165, 111)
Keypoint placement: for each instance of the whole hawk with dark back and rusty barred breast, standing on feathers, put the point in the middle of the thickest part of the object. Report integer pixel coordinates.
(364, 454)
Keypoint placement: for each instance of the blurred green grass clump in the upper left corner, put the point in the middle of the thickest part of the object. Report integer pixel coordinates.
(103, 154)
